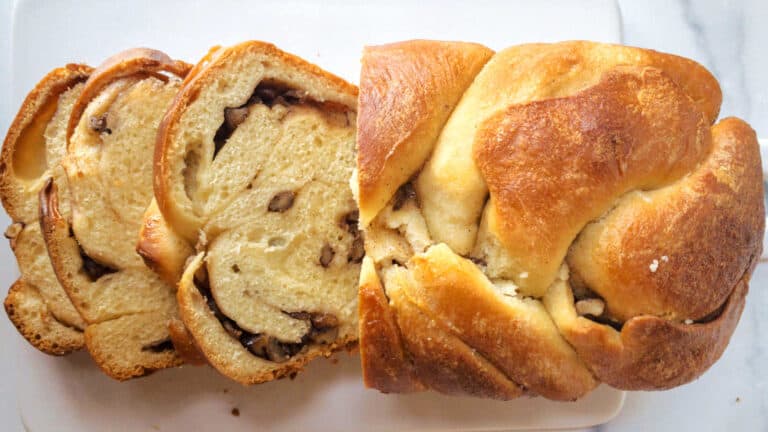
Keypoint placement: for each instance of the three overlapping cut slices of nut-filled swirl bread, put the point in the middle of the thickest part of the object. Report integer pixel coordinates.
(229, 180)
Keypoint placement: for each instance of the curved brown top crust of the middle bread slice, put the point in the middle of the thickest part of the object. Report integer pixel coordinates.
(125, 63)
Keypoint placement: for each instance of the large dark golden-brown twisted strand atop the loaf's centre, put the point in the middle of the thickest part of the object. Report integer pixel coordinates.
(642, 134)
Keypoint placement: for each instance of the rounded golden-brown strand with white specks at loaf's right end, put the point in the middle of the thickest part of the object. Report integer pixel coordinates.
(711, 219)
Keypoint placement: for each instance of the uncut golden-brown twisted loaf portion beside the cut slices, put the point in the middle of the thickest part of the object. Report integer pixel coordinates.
(549, 217)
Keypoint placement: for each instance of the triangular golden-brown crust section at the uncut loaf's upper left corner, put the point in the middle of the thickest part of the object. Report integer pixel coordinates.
(418, 83)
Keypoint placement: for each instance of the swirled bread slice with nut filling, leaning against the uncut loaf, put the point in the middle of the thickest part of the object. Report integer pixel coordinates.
(252, 168)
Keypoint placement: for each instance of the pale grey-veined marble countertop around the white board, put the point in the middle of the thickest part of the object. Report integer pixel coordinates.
(727, 37)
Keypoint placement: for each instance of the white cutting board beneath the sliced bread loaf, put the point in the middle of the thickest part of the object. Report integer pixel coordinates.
(70, 394)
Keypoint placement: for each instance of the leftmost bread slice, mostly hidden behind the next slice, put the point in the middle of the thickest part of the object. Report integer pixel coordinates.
(36, 303)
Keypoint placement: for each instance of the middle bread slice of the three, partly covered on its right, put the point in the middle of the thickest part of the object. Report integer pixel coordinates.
(108, 165)
